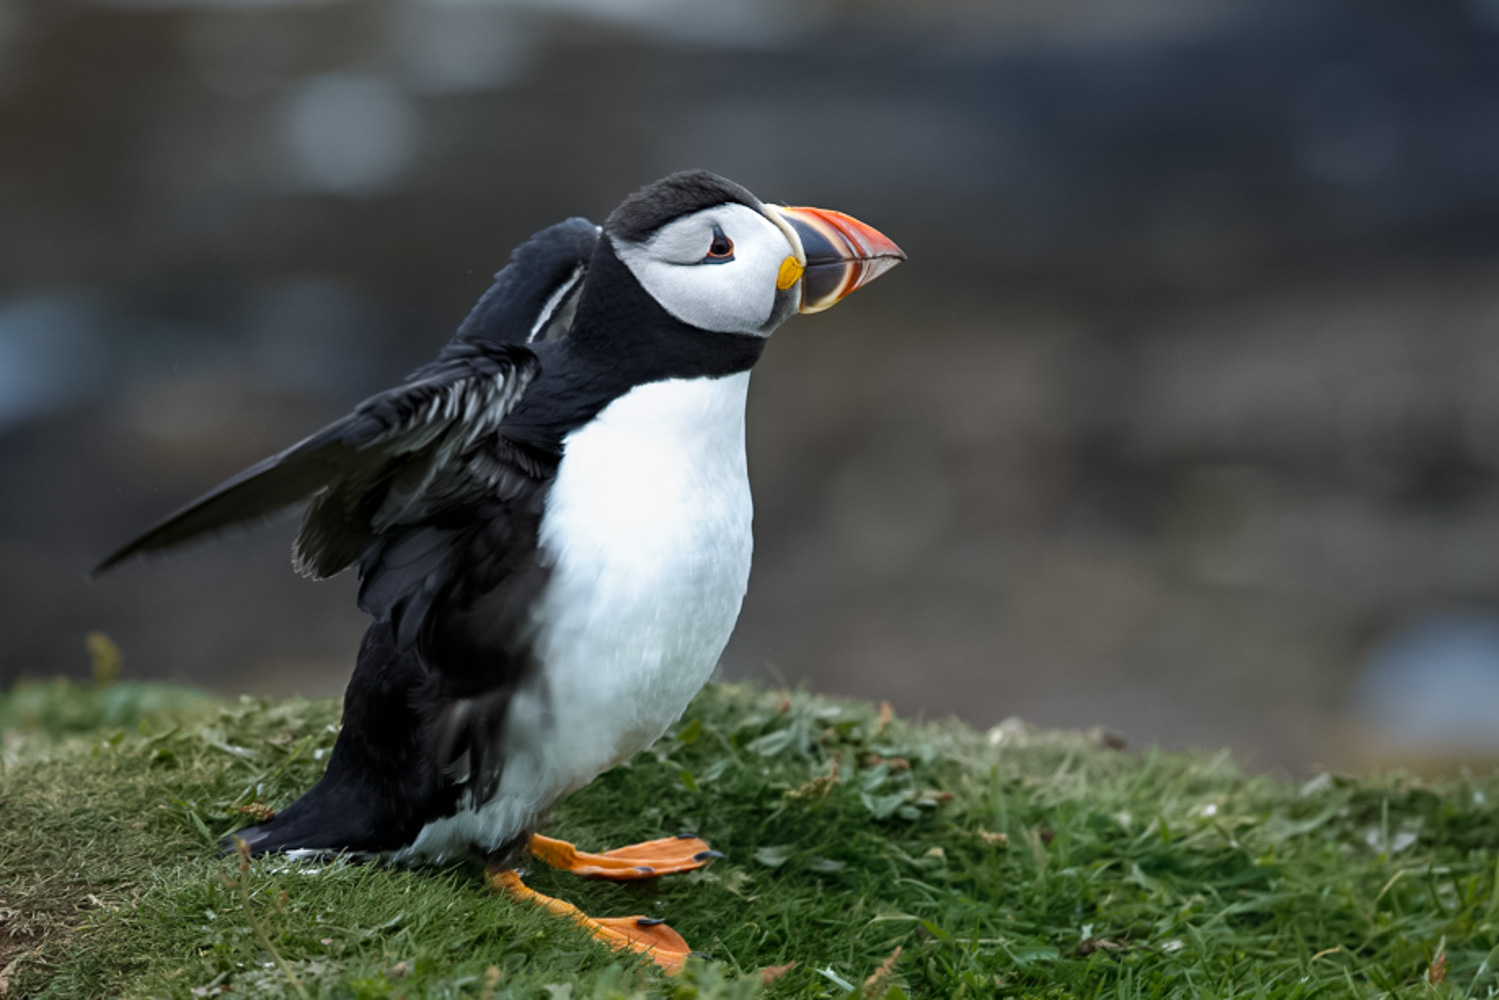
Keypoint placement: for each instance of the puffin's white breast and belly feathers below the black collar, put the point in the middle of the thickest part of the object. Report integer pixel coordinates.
(648, 536)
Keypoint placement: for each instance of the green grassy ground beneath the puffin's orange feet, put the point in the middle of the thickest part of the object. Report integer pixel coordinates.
(1019, 863)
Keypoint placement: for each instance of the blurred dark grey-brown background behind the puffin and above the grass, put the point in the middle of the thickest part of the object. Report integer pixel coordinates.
(1183, 418)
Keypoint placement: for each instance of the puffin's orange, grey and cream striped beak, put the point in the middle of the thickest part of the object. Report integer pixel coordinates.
(842, 254)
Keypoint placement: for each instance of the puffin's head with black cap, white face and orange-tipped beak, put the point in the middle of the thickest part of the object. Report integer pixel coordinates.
(719, 259)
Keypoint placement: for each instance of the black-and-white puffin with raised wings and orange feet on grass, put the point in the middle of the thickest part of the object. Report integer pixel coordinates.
(551, 524)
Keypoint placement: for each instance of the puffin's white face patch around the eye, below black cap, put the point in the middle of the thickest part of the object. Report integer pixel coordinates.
(716, 269)
